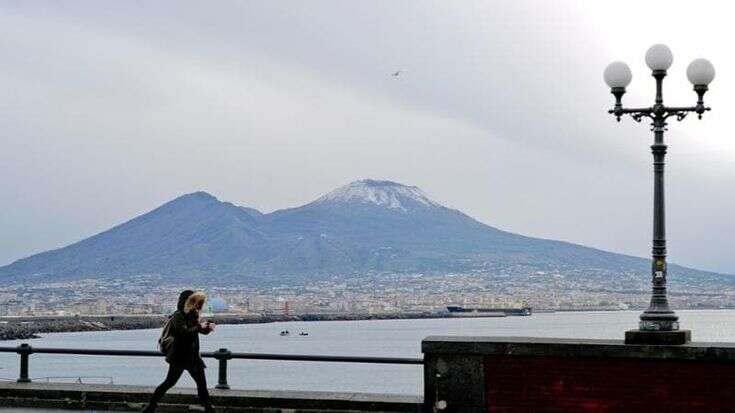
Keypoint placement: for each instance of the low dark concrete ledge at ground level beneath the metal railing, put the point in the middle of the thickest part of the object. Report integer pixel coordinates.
(132, 398)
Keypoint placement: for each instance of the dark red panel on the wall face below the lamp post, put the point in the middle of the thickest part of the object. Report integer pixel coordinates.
(560, 384)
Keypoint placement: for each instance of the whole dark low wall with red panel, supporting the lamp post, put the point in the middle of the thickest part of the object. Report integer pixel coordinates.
(485, 374)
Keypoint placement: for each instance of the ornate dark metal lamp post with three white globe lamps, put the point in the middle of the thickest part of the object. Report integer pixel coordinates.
(658, 324)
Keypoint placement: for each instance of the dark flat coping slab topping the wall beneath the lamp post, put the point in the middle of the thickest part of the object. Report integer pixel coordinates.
(559, 347)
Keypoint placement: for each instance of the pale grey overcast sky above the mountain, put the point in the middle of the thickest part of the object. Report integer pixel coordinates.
(109, 109)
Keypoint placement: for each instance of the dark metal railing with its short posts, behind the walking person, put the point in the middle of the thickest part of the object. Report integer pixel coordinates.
(222, 355)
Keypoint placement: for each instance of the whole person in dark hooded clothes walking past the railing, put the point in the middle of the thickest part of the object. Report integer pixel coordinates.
(184, 352)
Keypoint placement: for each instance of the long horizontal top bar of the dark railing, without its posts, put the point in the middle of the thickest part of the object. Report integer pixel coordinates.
(243, 356)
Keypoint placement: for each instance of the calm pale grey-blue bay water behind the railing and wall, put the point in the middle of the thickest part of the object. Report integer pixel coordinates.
(388, 338)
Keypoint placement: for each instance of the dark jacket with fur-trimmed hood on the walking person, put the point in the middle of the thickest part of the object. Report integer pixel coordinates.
(185, 329)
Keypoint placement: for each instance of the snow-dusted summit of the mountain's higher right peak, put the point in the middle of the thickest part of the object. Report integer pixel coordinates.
(382, 193)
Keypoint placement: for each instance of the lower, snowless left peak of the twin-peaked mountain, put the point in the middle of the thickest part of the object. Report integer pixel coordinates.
(192, 234)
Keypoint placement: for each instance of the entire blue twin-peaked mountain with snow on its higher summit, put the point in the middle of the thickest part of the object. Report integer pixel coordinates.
(366, 226)
